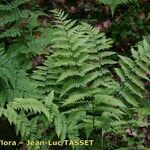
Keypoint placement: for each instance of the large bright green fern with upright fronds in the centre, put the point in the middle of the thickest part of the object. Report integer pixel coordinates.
(77, 72)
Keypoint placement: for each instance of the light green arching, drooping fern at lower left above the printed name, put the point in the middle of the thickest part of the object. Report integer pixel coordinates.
(19, 110)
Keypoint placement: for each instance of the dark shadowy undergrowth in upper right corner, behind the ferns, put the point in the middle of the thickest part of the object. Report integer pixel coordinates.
(129, 27)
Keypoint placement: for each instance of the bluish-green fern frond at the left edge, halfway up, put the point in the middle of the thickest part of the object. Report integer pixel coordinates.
(14, 80)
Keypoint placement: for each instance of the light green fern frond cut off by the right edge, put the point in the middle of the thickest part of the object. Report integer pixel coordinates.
(132, 73)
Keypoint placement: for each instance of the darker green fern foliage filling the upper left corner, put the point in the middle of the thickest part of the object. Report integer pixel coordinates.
(18, 27)
